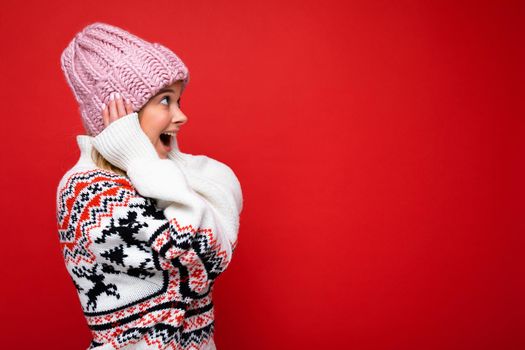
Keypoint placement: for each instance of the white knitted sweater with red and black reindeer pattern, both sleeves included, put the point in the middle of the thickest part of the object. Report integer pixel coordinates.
(144, 250)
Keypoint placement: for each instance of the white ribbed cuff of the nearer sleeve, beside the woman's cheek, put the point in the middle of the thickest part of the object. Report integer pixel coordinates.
(124, 141)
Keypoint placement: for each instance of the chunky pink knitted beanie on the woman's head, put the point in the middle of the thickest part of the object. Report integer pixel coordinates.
(102, 59)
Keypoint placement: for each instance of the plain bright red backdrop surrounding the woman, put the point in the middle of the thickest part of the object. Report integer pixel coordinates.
(379, 148)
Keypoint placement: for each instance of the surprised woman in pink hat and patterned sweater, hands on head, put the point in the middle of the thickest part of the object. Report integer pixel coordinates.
(145, 229)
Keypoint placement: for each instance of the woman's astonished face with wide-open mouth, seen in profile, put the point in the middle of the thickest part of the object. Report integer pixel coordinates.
(162, 114)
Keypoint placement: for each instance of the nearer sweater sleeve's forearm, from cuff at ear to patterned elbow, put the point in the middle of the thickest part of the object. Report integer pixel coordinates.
(195, 234)
